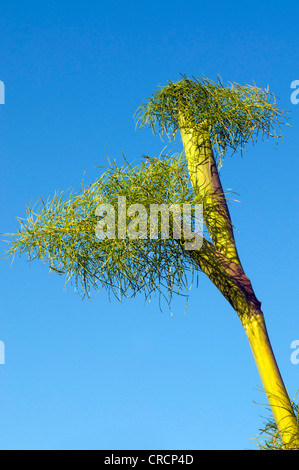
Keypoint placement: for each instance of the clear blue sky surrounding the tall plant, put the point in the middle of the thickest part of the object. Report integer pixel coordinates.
(105, 375)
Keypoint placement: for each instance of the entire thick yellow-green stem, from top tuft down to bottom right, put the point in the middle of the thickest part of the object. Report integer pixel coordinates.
(221, 263)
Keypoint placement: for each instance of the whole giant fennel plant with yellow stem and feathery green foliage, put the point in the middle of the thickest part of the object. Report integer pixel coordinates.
(209, 119)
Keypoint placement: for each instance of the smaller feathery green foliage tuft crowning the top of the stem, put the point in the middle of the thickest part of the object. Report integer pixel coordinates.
(235, 113)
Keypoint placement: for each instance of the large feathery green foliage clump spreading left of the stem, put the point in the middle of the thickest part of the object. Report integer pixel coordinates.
(61, 232)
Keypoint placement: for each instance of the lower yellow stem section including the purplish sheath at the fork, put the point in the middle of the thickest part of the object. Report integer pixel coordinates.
(235, 286)
